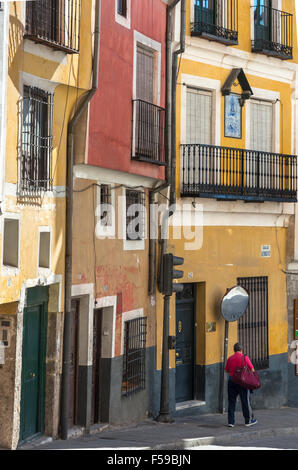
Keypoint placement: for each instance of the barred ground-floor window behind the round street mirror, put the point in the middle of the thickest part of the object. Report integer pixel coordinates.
(253, 325)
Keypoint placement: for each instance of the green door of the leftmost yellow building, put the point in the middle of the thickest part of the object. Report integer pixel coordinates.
(33, 363)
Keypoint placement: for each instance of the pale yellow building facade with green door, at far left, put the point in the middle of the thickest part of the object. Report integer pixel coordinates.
(47, 65)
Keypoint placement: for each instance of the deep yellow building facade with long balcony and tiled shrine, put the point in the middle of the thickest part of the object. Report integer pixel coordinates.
(236, 127)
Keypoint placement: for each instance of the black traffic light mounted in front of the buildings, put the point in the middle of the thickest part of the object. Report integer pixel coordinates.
(169, 273)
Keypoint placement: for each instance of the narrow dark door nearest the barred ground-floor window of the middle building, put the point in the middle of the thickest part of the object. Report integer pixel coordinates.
(96, 389)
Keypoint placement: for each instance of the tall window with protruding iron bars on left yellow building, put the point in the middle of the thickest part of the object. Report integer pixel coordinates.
(35, 161)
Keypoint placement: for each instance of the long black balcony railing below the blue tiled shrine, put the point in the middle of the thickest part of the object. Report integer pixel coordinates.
(231, 173)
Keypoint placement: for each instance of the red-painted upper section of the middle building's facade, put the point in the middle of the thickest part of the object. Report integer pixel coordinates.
(132, 68)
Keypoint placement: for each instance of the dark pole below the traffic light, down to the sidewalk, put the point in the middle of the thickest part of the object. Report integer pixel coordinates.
(164, 413)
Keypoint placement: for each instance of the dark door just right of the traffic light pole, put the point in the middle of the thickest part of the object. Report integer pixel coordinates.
(185, 342)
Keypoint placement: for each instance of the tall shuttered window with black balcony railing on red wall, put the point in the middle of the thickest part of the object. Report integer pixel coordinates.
(148, 118)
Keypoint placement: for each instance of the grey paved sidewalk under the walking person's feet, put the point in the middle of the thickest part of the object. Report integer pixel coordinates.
(184, 433)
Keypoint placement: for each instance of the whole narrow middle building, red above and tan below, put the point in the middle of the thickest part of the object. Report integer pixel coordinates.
(120, 161)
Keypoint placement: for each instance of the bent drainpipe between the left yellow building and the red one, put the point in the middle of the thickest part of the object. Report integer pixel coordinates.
(67, 333)
